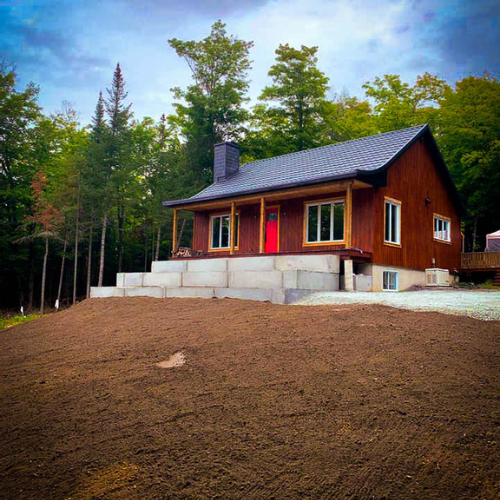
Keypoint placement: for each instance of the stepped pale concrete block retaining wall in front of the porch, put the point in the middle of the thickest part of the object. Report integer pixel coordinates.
(264, 278)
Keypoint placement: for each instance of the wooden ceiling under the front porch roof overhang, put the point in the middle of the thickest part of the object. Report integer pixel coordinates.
(331, 187)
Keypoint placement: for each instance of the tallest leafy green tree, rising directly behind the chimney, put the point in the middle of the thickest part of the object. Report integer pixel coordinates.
(213, 106)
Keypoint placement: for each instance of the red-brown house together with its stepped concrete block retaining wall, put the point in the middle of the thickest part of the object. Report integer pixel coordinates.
(367, 214)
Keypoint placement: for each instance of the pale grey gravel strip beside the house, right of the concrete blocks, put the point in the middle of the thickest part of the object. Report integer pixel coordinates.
(480, 305)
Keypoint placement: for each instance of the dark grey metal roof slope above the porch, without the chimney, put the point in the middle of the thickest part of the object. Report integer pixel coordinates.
(337, 161)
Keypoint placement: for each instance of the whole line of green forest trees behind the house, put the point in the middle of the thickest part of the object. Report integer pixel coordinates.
(78, 204)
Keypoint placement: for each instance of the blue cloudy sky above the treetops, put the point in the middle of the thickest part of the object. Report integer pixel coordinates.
(70, 47)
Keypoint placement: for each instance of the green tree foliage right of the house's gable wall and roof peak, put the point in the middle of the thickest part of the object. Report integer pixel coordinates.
(470, 141)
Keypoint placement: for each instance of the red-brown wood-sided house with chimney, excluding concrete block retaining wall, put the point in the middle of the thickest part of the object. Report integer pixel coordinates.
(385, 204)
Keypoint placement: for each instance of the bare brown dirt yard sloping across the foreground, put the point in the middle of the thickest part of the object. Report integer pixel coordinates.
(283, 402)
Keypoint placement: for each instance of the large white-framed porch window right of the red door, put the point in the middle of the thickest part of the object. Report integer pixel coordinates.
(325, 222)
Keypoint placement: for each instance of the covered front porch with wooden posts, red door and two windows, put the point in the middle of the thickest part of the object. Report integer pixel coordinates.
(319, 219)
